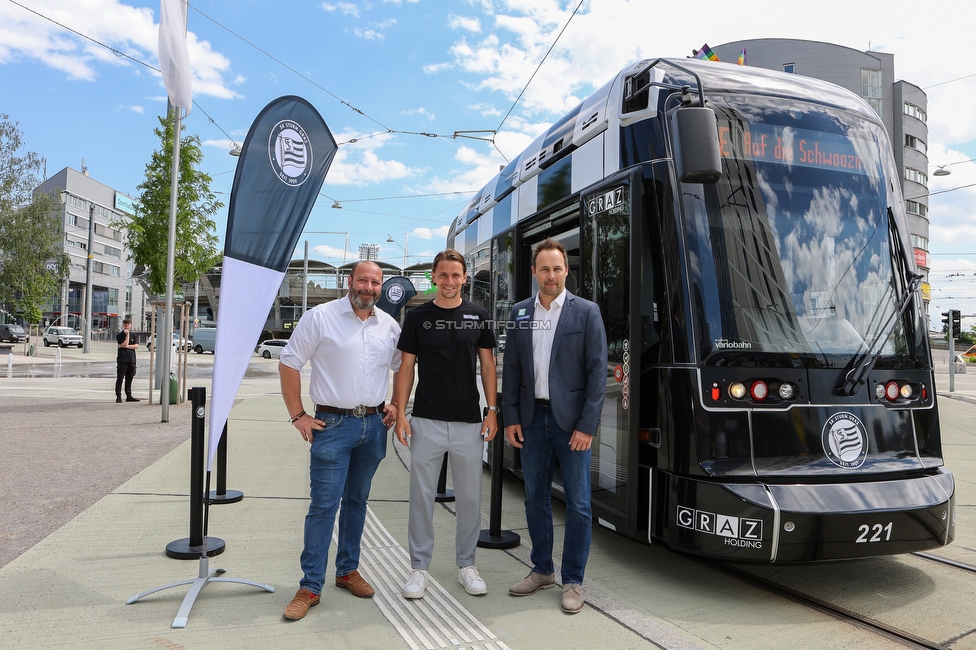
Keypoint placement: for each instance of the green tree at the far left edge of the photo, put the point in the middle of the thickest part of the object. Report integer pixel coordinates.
(33, 264)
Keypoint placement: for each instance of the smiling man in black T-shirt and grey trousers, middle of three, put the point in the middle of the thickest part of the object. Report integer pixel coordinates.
(449, 335)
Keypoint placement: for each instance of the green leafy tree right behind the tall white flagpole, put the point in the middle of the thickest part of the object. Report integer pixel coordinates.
(196, 238)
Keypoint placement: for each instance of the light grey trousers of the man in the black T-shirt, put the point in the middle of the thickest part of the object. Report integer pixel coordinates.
(465, 446)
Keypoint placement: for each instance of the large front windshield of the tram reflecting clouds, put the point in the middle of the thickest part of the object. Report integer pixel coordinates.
(793, 256)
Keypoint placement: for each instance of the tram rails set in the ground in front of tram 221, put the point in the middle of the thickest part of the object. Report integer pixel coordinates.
(900, 636)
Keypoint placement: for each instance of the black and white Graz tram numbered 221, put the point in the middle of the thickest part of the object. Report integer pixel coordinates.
(770, 389)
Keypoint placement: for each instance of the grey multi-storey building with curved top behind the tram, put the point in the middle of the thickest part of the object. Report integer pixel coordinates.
(901, 105)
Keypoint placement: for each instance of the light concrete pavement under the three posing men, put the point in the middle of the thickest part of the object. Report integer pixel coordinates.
(71, 588)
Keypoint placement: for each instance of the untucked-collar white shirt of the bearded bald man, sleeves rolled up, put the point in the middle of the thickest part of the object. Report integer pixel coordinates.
(351, 358)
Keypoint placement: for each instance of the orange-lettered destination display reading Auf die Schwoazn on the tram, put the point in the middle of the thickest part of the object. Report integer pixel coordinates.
(771, 143)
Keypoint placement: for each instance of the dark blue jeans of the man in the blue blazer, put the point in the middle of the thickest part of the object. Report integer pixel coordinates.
(544, 442)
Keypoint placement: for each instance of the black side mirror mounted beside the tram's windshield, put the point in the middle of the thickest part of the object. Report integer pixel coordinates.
(694, 134)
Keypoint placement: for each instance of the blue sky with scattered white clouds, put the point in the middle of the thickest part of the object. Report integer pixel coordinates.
(413, 89)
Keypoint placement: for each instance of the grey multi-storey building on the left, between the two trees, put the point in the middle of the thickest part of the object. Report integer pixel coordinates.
(88, 209)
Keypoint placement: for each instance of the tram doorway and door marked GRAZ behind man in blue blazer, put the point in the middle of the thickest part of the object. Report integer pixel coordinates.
(603, 249)
